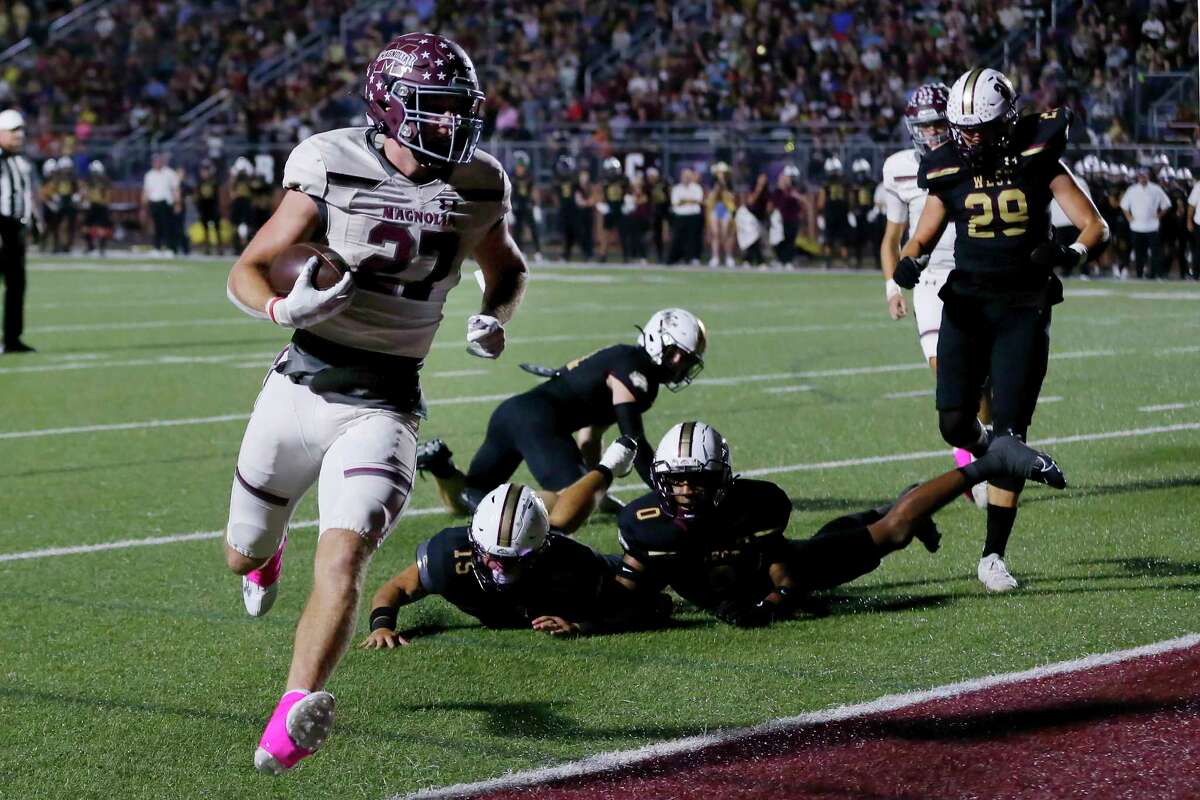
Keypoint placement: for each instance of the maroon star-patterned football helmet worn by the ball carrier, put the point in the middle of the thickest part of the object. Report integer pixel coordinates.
(422, 91)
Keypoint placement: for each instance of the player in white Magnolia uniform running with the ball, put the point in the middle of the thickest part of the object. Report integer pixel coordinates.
(403, 201)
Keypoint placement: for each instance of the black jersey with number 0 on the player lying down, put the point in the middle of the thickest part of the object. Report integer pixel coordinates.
(723, 557)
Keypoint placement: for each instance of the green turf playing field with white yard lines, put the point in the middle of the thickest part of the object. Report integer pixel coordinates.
(134, 672)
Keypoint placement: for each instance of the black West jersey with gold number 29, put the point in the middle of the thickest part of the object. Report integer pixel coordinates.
(1000, 218)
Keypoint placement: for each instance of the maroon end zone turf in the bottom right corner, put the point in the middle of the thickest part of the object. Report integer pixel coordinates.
(1130, 730)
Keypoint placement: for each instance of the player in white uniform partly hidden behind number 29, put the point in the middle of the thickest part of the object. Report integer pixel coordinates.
(926, 119)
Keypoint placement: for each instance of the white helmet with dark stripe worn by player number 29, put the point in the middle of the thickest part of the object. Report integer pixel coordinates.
(982, 112)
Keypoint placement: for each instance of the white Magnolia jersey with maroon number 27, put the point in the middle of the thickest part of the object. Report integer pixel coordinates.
(405, 242)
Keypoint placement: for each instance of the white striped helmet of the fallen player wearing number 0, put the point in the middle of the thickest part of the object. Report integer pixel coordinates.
(692, 471)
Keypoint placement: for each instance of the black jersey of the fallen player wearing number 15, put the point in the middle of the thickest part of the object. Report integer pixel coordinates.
(569, 580)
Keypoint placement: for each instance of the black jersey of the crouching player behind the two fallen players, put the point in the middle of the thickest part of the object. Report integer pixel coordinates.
(581, 392)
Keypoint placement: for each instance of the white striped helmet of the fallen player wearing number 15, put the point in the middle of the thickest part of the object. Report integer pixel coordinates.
(507, 533)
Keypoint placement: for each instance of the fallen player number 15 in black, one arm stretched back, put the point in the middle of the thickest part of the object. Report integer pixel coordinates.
(517, 567)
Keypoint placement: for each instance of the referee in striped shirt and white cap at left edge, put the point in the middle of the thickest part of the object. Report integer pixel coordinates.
(17, 213)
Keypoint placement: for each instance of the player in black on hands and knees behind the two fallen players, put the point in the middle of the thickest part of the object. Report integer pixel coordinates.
(617, 384)
